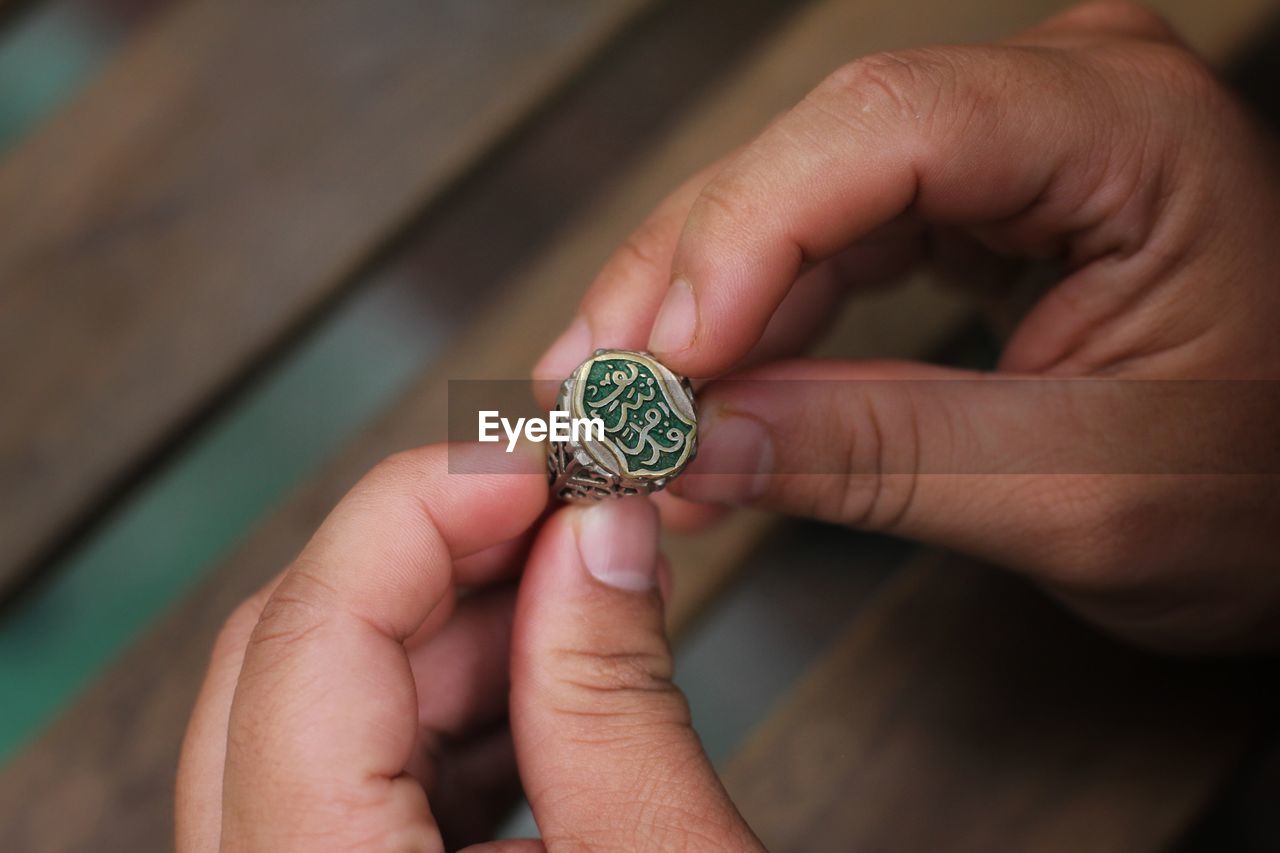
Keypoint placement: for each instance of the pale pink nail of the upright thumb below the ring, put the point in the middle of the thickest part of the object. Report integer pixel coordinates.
(619, 544)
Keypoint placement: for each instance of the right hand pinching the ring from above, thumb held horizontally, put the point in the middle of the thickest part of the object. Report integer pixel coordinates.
(1096, 139)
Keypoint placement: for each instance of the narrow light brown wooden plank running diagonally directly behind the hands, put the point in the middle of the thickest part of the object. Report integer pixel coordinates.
(113, 752)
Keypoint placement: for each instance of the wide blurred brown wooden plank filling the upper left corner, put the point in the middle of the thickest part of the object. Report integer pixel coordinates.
(216, 186)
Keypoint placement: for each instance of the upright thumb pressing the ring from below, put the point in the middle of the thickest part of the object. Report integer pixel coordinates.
(606, 750)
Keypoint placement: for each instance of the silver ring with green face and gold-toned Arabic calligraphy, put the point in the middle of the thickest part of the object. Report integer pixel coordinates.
(646, 428)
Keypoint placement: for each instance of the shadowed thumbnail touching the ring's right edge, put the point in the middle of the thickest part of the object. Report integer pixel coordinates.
(735, 460)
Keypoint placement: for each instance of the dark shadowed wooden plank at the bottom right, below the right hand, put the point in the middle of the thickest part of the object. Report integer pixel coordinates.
(964, 711)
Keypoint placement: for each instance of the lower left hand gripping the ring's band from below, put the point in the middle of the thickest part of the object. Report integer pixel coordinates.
(359, 704)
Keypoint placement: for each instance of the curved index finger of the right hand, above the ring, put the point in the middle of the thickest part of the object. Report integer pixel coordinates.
(1023, 143)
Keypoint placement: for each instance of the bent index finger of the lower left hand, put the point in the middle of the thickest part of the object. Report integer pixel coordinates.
(324, 719)
